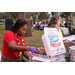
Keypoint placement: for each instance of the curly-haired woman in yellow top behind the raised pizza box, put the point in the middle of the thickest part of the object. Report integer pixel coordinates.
(55, 22)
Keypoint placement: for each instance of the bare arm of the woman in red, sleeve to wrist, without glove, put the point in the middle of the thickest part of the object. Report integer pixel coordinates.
(16, 48)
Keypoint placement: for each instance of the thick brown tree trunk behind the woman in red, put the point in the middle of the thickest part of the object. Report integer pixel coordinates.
(24, 15)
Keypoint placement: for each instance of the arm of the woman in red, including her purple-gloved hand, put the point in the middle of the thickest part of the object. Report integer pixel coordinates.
(16, 48)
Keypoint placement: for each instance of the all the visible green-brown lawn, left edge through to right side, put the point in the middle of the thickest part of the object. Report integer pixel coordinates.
(35, 40)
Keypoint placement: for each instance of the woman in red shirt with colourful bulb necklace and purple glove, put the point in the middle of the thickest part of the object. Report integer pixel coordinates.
(14, 44)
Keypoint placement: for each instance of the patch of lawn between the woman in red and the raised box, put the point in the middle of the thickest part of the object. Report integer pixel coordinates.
(35, 40)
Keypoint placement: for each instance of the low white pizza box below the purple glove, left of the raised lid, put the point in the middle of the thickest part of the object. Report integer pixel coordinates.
(33, 57)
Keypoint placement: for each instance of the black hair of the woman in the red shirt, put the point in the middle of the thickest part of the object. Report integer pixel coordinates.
(19, 23)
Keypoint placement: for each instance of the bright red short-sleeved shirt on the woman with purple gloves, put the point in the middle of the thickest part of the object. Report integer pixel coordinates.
(10, 36)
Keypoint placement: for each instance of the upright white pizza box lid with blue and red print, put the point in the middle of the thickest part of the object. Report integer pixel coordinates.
(52, 42)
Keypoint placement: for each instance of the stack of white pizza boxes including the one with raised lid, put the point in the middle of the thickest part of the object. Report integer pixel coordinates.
(54, 47)
